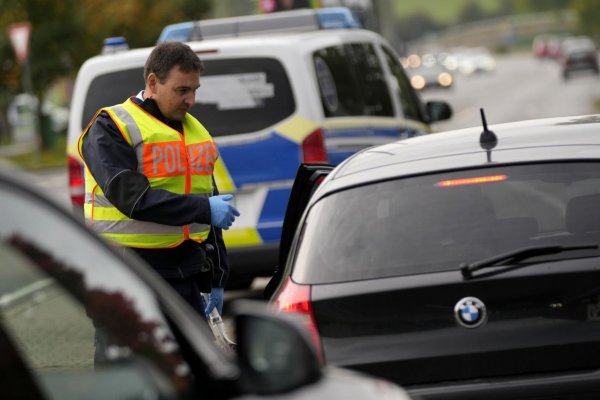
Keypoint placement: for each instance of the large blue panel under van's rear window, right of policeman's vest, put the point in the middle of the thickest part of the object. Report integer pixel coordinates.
(272, 159)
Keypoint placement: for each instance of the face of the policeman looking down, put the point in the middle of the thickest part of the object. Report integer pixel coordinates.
(176, 94)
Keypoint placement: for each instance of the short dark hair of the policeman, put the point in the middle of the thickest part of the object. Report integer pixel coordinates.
(167, 55)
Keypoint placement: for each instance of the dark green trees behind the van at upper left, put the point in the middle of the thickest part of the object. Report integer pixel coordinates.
(65, 33)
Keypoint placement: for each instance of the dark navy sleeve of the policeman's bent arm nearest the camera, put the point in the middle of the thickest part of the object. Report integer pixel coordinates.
(113, 164)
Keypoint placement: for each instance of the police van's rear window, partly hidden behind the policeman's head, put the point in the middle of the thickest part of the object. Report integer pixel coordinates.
(241, 95)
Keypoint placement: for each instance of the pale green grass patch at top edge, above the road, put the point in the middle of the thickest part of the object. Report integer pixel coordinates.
(443, 11)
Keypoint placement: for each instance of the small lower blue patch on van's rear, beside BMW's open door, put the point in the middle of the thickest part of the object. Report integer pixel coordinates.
(271, 218)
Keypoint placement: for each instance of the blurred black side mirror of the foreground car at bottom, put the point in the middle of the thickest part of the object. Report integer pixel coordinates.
(274, 352)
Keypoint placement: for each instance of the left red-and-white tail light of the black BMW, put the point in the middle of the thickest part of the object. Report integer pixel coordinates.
(295, 299)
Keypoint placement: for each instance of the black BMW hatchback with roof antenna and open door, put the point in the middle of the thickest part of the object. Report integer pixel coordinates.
(461, 265)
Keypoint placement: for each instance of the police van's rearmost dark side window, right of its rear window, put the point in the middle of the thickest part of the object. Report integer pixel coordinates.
(351, 81)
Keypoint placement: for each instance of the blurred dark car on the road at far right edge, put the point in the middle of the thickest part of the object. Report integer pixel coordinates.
(578, 54)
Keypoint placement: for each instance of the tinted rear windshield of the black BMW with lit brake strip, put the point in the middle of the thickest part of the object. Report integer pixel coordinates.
(434, 223)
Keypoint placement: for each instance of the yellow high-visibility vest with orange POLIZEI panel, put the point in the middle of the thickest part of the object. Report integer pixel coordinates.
(179, 163)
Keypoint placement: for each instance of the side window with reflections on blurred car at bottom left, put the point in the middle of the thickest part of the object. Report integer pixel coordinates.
(85, 326)
